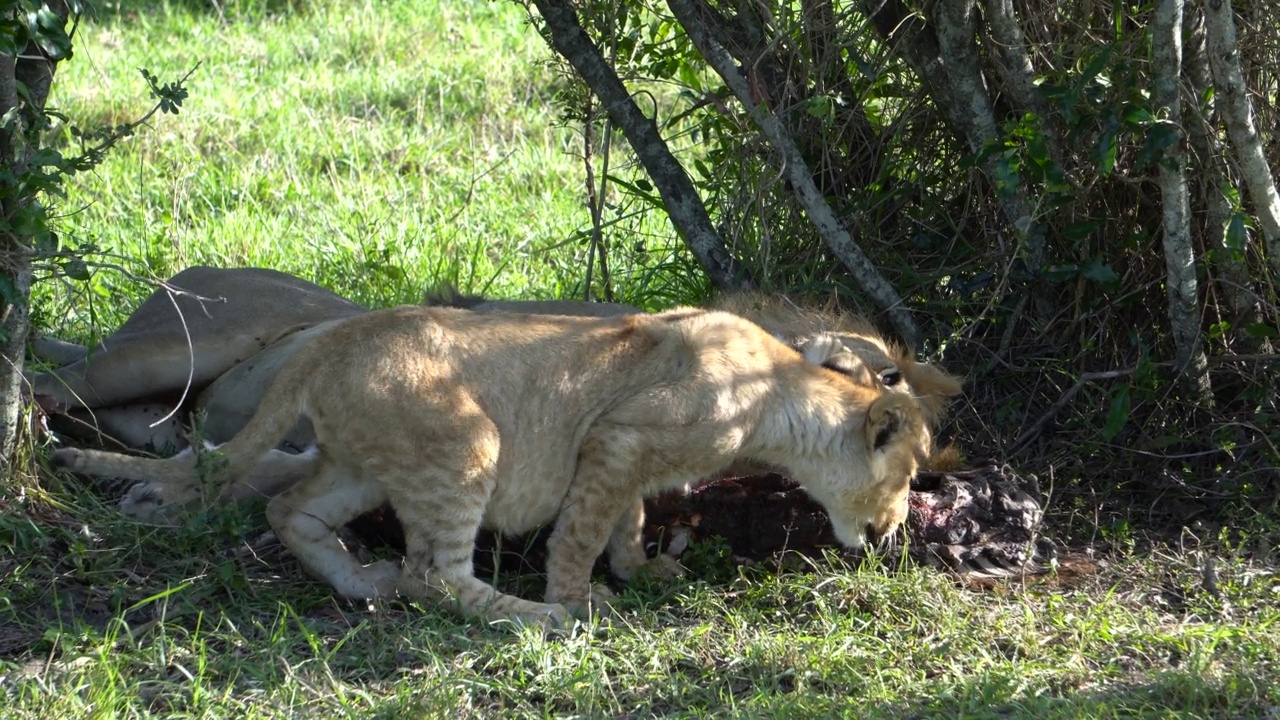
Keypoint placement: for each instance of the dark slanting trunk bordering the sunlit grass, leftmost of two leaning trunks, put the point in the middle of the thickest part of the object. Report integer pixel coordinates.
(685, 208)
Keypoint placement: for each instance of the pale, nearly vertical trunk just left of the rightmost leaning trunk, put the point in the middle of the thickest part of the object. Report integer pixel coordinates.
(1180, 253)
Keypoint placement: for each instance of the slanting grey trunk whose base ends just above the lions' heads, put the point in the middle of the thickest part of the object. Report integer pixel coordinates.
(820, 213)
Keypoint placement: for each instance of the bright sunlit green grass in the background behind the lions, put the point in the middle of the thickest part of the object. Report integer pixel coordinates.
(373, 147)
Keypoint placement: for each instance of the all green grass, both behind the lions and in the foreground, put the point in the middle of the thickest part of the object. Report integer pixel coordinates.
(382, 148)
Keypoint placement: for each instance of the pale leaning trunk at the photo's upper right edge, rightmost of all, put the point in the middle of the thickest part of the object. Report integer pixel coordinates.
(1233, 99)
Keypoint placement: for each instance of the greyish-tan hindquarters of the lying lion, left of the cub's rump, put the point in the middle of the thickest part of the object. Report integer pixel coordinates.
(175, 345)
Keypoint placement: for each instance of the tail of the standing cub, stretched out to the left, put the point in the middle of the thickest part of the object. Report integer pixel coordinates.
(277, 414)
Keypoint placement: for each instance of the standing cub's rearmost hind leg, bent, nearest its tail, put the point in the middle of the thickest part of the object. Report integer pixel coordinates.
(305, 518)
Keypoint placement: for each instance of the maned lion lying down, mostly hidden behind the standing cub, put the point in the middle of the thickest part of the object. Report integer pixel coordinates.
(213, 349)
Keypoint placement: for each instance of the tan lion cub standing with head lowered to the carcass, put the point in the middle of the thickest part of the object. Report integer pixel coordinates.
(464, 421)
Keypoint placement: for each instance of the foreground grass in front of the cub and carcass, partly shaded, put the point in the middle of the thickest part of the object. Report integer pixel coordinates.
(118, 621)
